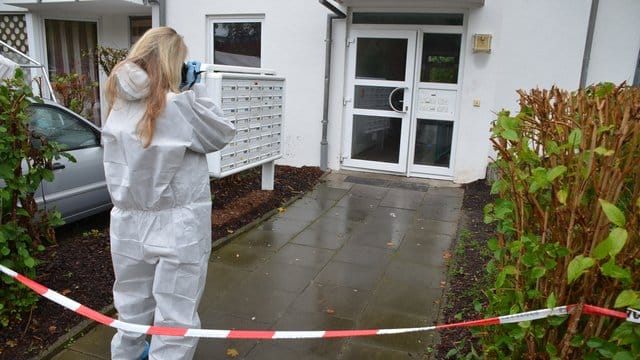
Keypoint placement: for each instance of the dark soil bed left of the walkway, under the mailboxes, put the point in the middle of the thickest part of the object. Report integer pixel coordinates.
(79, 264)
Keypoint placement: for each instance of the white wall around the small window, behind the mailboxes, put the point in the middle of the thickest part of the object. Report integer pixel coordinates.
(292, 44)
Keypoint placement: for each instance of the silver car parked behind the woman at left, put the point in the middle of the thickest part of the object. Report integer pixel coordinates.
(79, 188)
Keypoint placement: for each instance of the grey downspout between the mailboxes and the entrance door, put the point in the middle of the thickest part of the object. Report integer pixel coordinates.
(324, 143)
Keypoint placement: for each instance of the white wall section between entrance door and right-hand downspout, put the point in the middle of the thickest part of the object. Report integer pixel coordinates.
(535, 44)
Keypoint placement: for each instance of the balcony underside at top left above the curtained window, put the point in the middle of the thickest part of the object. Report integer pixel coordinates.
(101, 7)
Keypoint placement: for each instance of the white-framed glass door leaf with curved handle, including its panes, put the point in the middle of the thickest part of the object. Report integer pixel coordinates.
(381, 67)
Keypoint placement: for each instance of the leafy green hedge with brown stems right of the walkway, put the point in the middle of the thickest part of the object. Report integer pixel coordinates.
(568, 224)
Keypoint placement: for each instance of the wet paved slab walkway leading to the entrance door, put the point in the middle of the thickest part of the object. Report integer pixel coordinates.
(351, 254)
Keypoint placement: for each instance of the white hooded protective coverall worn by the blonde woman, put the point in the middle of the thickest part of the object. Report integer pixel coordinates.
(161, 219)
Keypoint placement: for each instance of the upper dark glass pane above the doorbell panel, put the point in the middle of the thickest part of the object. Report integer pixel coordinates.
(440, 58)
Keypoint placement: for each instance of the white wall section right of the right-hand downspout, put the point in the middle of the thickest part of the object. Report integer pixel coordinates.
(616, 41)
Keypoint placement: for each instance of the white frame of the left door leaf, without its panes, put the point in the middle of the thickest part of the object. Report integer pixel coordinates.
(404, 116)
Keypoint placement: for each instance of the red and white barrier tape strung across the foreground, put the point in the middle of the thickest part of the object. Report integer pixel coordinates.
(631, 315)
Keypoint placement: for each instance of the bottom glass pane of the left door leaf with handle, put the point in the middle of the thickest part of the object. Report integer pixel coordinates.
(376, 138)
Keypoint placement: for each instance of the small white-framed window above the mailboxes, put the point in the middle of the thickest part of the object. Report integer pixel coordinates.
(236, 41)
